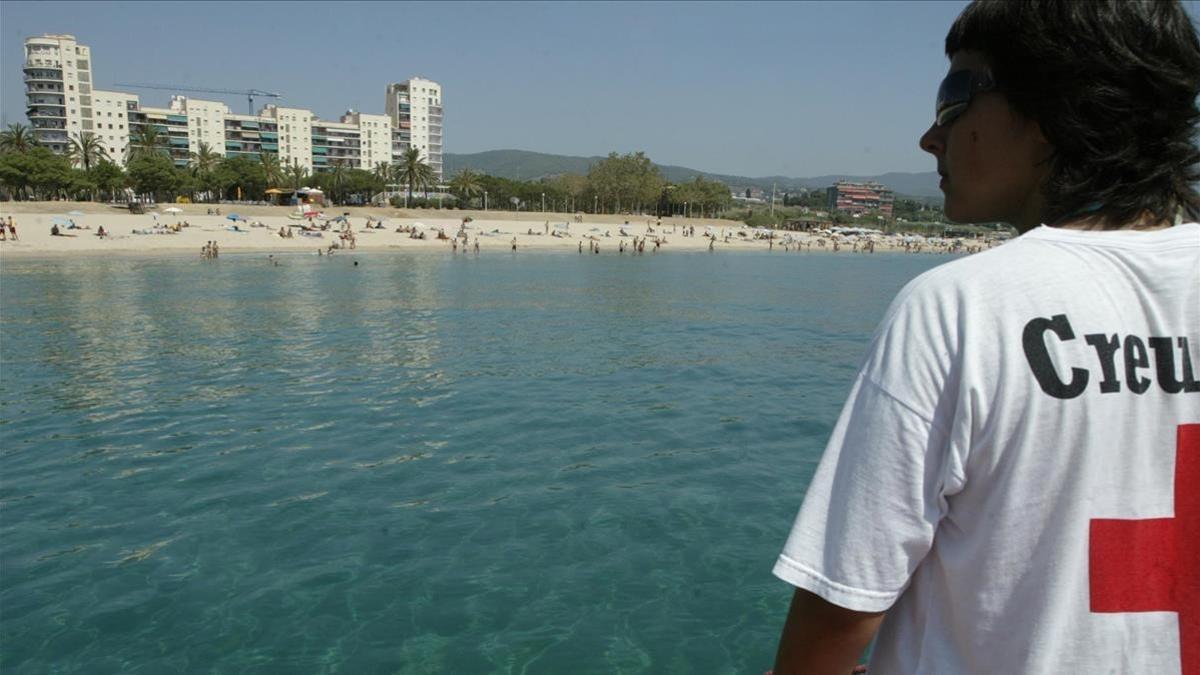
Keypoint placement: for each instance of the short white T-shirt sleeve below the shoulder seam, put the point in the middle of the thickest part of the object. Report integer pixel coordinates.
(873, 507)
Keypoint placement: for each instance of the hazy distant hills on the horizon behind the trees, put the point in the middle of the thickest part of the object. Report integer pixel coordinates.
(524, 165)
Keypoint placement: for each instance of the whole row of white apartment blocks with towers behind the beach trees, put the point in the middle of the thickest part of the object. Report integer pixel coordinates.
(62, 105)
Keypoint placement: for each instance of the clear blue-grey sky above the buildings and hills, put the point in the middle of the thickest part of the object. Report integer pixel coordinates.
(749, 89)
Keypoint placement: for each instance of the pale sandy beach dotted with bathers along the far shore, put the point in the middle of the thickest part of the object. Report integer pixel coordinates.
(495, 231)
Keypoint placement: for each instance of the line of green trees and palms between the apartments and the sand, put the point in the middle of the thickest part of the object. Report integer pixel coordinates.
(619, 184)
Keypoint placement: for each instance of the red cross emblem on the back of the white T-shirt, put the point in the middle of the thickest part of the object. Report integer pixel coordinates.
(1154, 565)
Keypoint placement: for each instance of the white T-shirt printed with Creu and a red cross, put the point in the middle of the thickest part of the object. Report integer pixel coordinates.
(1004, 479)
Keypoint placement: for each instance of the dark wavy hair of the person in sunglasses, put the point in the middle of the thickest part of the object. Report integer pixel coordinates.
(1114, 87)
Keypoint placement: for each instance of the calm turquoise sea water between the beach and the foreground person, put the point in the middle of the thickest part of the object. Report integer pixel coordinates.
(423, 464)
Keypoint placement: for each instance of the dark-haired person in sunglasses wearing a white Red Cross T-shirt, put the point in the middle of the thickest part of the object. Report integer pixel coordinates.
(1013, 485)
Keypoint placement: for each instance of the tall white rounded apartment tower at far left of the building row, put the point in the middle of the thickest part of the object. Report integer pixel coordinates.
(58, 89)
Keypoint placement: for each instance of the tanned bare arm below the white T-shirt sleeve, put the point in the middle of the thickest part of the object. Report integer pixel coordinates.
(821, 637)
